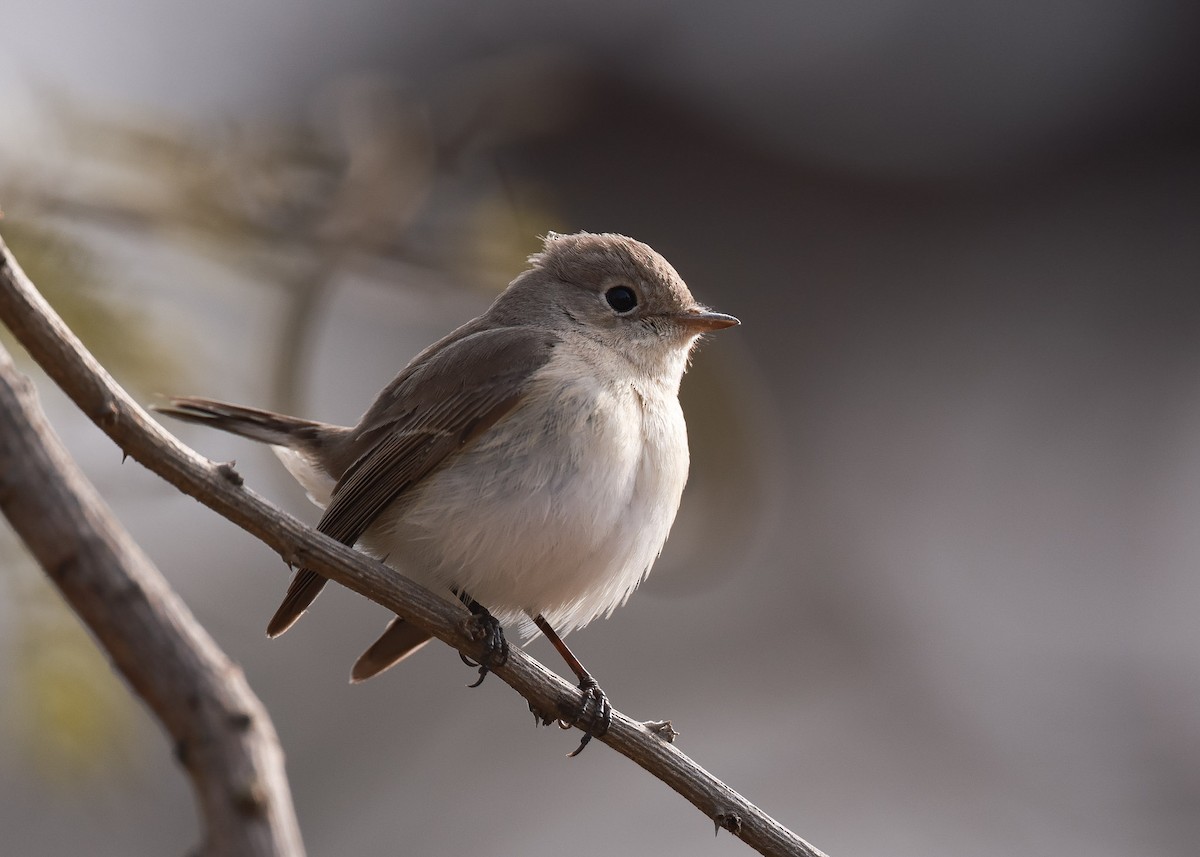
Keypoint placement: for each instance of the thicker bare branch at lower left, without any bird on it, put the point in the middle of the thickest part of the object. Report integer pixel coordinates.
(224, 736)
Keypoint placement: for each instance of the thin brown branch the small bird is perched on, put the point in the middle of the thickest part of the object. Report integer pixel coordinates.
(105, 403)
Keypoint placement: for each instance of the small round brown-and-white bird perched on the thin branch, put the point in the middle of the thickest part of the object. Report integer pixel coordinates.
(530, 464)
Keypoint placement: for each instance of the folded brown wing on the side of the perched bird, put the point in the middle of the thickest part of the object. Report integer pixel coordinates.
(433, 410)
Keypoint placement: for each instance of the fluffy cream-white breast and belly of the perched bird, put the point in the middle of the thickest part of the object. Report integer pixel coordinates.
(547, 516)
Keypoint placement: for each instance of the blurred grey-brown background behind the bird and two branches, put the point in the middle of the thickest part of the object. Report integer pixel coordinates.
(934, 589)
